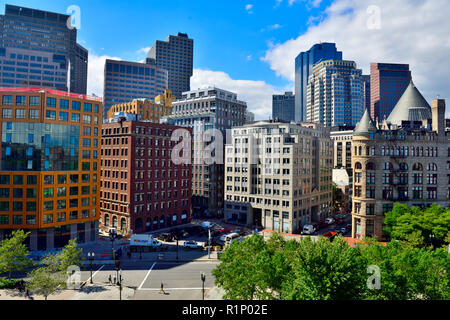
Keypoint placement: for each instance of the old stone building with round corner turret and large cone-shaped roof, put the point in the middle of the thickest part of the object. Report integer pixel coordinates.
(402, 160)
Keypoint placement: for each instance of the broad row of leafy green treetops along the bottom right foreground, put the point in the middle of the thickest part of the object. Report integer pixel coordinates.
(324, 270)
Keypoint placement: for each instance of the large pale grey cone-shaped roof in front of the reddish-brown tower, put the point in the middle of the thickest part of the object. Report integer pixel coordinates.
(412, 106)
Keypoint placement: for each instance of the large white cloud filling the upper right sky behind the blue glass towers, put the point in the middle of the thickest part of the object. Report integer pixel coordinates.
(413, 32)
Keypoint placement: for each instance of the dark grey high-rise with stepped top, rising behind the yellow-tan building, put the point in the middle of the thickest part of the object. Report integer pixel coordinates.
(176, 55)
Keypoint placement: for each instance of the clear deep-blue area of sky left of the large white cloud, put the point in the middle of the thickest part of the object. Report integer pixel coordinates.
(227, 36)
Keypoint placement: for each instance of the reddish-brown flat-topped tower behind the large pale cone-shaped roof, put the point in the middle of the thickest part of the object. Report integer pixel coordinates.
(388, 81)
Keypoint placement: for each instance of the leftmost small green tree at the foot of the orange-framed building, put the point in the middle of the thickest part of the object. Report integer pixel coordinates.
(14, 253)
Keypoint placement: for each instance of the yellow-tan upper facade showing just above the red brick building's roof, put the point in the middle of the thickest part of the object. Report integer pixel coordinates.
(152, 110)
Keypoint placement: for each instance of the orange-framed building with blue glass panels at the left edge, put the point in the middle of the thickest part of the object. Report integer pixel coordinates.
(50, 166)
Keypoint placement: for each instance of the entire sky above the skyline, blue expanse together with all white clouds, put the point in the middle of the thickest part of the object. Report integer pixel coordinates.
(249, 46)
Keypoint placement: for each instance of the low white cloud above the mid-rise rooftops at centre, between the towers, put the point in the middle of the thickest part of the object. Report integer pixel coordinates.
(257, 94)
